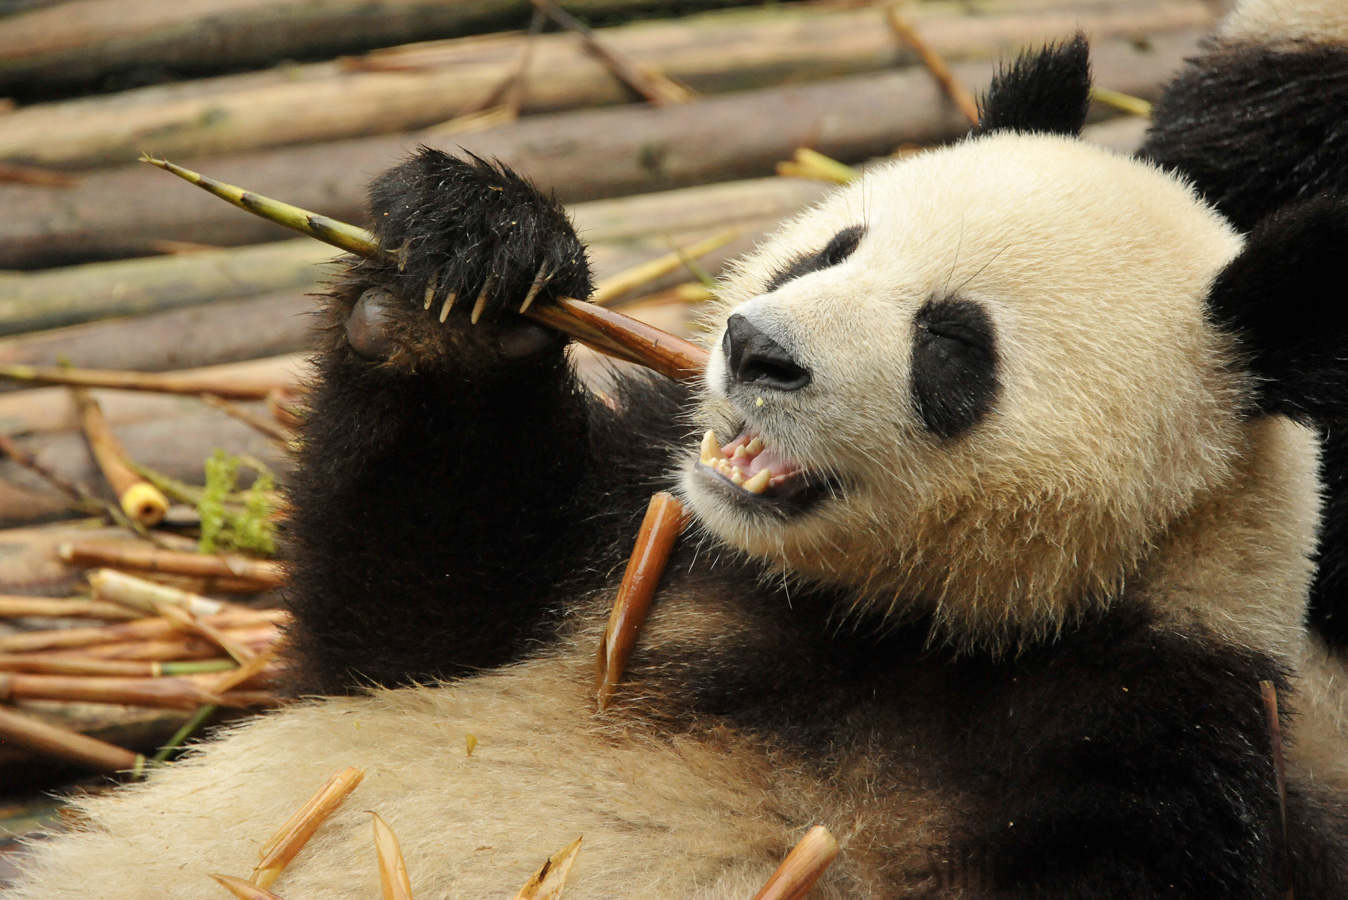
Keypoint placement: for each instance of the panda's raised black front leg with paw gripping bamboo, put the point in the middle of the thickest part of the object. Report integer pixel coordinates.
(446, 439)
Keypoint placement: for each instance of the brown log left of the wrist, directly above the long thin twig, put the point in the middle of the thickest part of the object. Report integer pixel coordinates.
(200, 336)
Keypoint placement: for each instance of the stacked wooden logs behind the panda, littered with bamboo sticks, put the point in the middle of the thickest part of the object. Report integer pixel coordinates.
(111, 265)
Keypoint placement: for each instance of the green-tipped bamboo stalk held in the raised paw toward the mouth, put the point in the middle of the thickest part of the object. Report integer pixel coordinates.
(603, 331)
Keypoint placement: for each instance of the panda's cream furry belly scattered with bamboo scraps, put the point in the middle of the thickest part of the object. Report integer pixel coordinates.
(680, 816)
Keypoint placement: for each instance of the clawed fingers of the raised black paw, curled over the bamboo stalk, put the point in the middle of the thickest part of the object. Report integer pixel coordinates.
(474, 239)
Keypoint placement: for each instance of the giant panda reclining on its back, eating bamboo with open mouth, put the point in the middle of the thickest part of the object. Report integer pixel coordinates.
(1041, 513)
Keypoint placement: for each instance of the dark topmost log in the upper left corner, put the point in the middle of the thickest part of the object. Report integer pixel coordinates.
(67, 45)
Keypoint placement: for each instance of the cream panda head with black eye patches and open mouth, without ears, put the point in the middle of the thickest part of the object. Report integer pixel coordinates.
(977, 379)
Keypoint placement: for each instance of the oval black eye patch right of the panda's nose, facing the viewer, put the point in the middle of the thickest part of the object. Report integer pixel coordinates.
(955, 366)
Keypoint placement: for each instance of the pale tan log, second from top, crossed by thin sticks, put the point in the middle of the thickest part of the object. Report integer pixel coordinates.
(419, 87)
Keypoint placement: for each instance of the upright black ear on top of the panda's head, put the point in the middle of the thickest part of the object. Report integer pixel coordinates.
(1045, 92)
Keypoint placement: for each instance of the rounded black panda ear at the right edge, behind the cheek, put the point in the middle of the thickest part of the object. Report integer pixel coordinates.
(1287, 301)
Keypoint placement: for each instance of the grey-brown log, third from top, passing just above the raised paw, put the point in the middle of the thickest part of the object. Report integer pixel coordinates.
(582, 156)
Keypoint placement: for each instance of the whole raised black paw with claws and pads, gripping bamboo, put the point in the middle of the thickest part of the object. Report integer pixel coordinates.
(475, 245)
